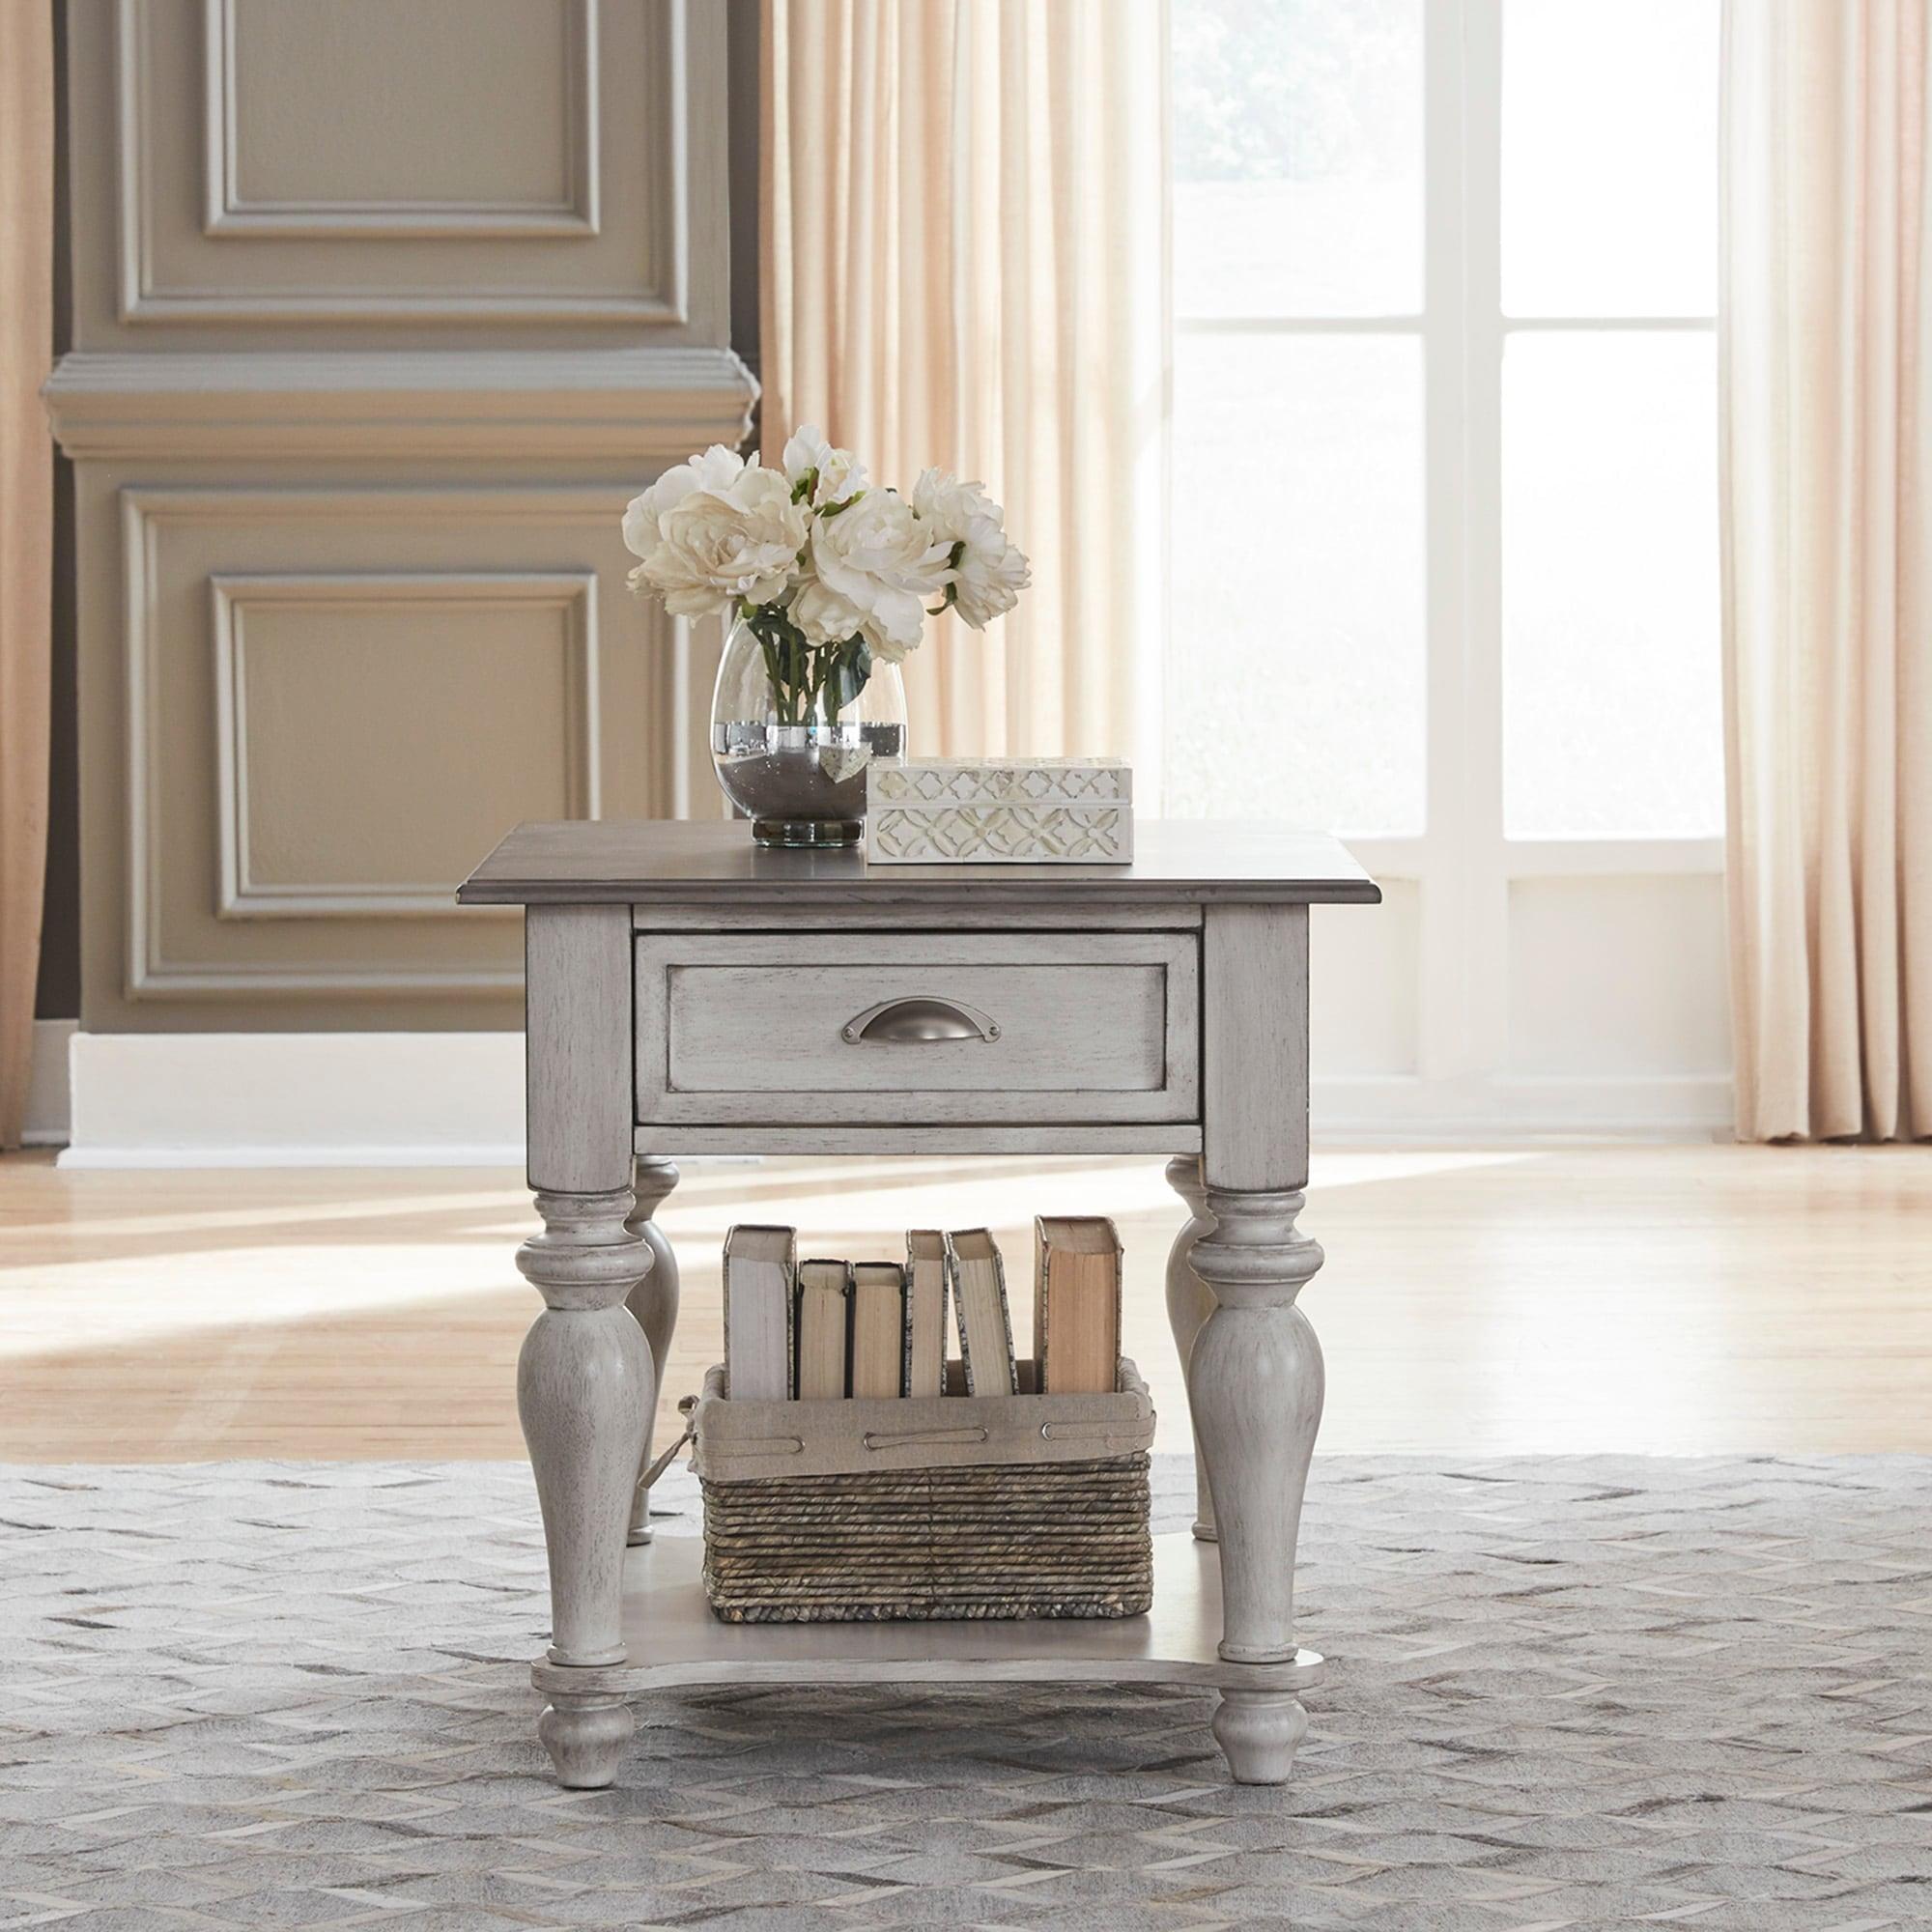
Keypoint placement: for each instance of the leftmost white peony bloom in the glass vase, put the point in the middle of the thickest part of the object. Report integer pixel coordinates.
(716, 532)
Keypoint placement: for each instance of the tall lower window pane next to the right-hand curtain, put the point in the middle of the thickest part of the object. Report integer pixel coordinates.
(1612, 677)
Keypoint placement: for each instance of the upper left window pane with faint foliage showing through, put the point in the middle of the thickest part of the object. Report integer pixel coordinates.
(1297, 157)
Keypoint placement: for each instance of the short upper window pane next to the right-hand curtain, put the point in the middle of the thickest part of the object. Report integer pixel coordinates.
(1610, 157)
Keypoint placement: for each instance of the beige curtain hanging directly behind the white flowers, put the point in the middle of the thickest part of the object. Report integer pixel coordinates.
(965, 266)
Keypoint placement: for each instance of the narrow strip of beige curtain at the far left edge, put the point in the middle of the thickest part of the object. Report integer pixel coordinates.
(26, 523)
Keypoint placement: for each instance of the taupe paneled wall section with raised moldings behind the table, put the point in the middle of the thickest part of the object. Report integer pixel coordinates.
(382, 312)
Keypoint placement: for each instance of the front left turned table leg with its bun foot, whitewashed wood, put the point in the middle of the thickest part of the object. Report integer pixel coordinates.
(584, 1392)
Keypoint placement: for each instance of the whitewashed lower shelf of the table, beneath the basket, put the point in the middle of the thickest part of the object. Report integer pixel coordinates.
(675, 1641)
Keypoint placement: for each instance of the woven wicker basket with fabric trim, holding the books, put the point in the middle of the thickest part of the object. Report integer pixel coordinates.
(1008, 1506)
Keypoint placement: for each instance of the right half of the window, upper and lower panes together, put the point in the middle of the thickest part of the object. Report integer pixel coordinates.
(1610, 418)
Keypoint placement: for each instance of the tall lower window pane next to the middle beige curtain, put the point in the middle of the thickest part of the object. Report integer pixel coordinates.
(1295, 662)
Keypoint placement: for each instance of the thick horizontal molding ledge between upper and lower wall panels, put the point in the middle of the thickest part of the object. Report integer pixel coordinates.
(403, 405)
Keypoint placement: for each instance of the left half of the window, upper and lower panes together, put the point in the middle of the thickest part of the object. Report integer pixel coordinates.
(1299, 416)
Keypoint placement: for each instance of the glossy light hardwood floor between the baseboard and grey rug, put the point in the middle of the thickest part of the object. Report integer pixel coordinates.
(1664, 1299)
